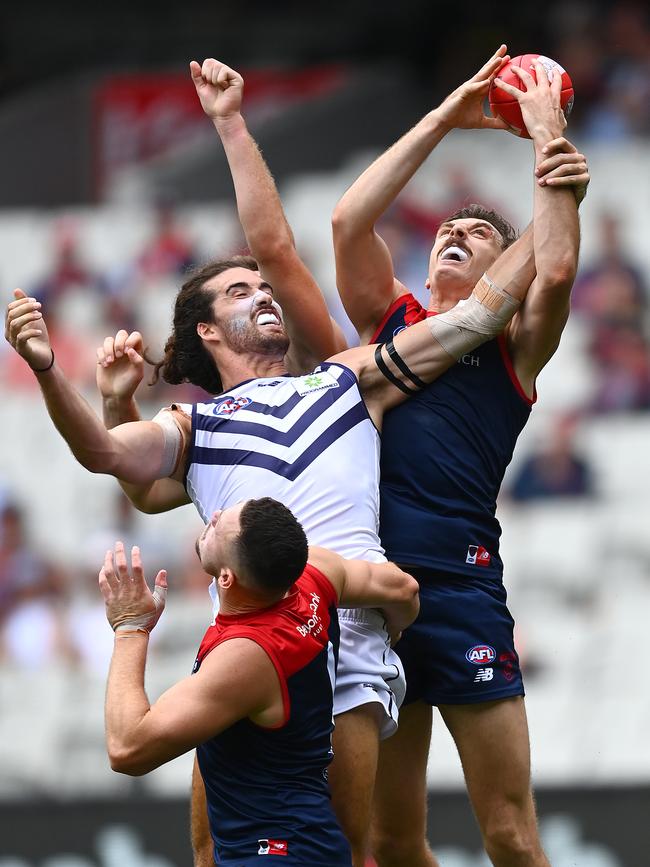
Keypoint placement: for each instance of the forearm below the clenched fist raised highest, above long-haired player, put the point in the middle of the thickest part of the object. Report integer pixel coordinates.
(258, 203)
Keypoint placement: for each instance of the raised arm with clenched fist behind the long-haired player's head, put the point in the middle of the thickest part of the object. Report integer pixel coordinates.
(314, 335)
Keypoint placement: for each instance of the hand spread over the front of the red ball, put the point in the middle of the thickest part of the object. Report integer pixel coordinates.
(539, 101)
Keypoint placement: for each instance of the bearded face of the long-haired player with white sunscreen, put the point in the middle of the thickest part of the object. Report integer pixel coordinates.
(247, 314)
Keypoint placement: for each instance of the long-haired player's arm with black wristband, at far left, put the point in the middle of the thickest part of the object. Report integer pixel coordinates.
(134, 452)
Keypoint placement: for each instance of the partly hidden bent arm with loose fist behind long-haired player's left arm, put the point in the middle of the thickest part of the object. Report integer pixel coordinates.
(120, 368)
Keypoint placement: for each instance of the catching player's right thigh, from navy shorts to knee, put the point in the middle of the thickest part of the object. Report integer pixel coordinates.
(494, 748)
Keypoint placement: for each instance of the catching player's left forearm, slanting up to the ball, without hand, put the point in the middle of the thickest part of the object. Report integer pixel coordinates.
(375, 190)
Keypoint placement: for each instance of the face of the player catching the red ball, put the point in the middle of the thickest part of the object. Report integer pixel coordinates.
(462, 251)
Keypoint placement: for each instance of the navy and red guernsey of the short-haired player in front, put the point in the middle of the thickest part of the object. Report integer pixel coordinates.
(266, 788)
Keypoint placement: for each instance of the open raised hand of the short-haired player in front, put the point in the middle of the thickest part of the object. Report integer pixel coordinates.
(130, 604)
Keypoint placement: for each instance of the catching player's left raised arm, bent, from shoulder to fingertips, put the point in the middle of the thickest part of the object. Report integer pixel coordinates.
(364, 268)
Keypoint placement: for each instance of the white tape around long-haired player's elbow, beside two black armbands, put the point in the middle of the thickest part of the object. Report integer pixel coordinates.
(482, 316)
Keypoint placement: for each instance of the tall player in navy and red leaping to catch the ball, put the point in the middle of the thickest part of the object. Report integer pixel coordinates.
(443, 457)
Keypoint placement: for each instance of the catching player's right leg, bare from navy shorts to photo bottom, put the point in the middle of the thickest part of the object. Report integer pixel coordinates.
(493, 744)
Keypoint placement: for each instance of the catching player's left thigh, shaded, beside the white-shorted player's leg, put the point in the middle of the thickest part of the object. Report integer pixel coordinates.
(400, 802)
